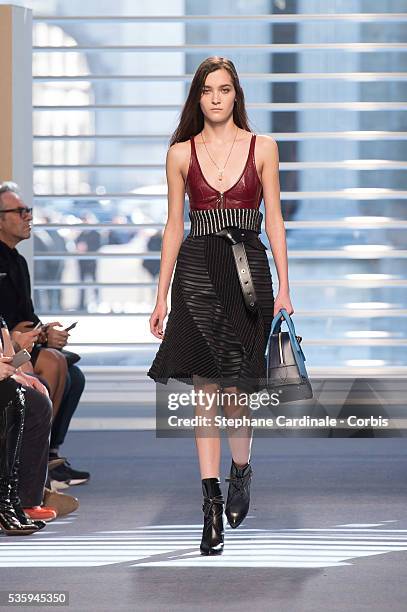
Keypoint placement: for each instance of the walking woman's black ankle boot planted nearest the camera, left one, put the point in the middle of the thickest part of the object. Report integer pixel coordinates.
(212, 534)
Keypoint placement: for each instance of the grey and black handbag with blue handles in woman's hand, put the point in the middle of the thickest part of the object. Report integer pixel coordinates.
(285, 362)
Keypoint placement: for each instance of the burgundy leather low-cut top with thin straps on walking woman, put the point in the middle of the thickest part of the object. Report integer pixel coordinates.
(245, 193)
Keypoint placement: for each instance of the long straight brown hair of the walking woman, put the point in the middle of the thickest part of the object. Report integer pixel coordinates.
(192, 118)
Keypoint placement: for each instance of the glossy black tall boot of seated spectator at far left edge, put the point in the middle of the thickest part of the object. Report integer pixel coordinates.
(11, 414)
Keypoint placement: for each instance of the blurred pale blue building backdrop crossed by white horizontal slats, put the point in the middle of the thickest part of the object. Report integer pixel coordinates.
(331, 90)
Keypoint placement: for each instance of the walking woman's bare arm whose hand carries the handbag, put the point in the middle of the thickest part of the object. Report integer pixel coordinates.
(274, 222)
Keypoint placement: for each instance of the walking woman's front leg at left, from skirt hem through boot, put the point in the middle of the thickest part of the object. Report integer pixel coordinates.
(209, 449)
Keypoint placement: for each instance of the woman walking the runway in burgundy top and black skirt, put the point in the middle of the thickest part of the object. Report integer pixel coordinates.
(222, 301)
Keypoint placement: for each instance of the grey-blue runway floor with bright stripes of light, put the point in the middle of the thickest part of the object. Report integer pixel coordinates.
(327, 529)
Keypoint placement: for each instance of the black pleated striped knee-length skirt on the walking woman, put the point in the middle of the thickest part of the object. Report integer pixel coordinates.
(209, 331)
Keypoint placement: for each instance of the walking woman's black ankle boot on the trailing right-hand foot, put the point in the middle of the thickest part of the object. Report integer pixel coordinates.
(238, 499)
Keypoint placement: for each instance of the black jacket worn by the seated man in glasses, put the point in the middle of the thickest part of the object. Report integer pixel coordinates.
(15, 288)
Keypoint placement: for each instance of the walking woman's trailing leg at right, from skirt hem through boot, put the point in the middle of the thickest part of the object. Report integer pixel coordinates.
(236, 405)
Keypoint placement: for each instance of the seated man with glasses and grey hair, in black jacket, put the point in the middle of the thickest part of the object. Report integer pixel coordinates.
(17, 308)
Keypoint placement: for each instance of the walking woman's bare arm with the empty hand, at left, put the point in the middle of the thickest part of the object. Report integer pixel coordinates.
(173, 235)
